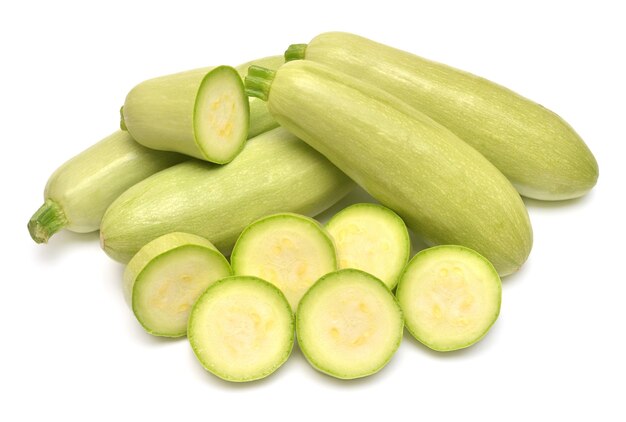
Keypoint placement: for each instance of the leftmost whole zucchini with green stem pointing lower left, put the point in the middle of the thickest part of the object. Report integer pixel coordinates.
(79, 192)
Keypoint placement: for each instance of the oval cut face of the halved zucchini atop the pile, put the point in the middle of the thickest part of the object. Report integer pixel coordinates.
(221, 115)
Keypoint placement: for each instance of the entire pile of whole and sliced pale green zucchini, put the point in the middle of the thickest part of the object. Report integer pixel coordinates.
(222, 161)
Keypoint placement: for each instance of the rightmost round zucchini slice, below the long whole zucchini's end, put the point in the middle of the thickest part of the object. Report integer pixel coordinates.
(450, 296)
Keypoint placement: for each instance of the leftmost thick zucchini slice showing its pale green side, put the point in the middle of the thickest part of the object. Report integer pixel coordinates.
(166, 276)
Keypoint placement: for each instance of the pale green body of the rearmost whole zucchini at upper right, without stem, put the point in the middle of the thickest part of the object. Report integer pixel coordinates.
(537, 150)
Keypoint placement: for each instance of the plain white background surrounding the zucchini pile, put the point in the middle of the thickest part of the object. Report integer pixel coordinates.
(71, 349)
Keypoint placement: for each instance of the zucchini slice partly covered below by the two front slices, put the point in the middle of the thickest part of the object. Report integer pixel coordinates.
(290, 251)
